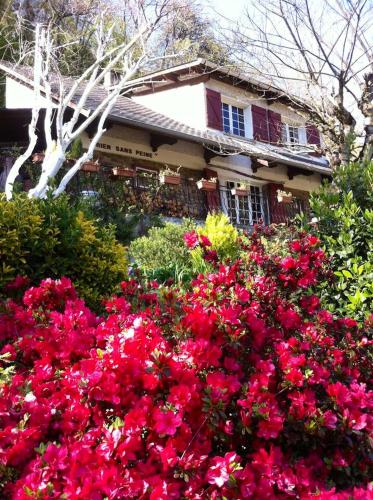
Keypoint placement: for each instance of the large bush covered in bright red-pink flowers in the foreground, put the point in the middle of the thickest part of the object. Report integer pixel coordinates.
(241, 387)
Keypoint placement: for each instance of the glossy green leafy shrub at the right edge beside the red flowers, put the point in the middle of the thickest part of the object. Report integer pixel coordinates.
(344, 211)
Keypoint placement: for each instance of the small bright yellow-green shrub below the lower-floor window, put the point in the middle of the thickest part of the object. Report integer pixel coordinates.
(222, 234)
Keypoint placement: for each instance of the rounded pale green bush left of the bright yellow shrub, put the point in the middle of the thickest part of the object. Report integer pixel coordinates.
(163, 254)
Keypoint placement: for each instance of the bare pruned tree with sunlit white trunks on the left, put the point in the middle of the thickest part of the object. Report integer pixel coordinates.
(126, 56)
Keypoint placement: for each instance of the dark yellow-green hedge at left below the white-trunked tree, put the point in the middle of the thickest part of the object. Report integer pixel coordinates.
(54, 238)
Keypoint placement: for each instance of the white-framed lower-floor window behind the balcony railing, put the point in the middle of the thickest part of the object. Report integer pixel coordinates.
(243, 210)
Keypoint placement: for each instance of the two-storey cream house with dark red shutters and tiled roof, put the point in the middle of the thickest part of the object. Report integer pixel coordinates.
(207, 122)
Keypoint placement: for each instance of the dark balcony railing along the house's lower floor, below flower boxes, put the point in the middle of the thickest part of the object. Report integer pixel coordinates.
(145, 193)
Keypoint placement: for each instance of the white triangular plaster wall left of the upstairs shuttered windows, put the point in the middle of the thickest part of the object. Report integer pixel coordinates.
(185, 104)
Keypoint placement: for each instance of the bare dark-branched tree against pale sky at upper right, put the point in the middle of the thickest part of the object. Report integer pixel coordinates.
(319, 55)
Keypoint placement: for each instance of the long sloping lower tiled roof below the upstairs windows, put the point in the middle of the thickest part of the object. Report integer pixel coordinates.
(129, 112)
